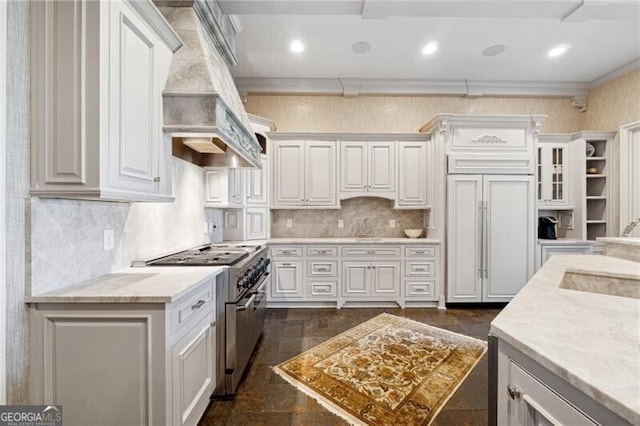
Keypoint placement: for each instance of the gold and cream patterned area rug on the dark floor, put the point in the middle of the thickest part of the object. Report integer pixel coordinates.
(386, 371)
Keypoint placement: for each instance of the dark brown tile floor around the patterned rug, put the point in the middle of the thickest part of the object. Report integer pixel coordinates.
(263, 398)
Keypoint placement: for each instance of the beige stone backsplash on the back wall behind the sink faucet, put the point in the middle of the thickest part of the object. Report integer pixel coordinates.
(324, 223)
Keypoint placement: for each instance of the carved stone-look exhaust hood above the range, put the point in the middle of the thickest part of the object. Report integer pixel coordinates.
(202, 108)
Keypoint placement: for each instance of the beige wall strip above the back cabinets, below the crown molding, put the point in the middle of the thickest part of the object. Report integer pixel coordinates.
(401, 113)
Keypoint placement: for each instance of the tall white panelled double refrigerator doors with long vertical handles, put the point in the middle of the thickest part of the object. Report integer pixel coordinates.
(491, 236)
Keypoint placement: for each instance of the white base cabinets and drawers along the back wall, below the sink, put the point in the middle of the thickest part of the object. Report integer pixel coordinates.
(355, 272)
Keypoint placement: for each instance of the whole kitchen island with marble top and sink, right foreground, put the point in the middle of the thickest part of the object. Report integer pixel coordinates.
(582, 345)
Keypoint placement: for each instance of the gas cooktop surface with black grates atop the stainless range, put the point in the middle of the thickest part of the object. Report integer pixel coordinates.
(211, 255)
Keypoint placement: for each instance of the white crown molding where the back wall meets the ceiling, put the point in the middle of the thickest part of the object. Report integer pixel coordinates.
(350, 87)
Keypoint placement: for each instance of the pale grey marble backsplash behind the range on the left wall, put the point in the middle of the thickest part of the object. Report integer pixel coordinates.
(66, 236)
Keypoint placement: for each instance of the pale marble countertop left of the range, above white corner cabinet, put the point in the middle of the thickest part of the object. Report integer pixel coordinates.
(159, 284)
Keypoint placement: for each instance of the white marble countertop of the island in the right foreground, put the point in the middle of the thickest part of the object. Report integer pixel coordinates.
(590, 340)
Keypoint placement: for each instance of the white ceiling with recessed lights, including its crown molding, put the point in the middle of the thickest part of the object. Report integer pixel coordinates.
(603, 39)
